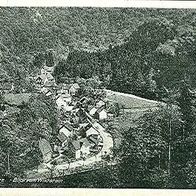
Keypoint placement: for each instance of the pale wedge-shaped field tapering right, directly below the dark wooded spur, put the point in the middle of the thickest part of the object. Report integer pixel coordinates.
(129, 101)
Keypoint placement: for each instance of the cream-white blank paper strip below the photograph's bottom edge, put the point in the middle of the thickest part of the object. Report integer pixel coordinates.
(94, 192)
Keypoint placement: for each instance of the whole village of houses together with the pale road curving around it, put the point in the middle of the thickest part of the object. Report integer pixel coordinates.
(81, 138)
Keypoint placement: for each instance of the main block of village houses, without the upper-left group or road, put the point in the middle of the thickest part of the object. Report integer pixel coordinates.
(79, 133)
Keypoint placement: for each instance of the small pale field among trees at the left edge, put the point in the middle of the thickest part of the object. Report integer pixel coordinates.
(17, 99)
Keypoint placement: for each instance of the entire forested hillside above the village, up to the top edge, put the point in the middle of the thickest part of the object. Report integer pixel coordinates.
(143, 49)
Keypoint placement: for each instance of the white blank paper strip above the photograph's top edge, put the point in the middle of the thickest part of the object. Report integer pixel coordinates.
(99, 3)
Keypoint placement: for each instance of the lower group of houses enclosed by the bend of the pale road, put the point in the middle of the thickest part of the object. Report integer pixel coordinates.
(81, 146)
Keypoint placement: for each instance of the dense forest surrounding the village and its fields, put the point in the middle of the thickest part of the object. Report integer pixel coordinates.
(146, 52)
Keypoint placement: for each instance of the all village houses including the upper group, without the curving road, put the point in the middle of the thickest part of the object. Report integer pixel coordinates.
(77, 134)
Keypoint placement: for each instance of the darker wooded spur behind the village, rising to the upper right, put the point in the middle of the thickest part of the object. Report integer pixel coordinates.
(158, 53)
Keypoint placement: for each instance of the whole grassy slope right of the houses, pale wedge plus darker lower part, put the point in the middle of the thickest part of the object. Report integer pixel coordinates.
(134, 107)
